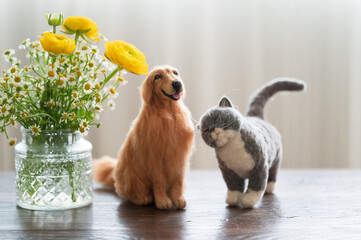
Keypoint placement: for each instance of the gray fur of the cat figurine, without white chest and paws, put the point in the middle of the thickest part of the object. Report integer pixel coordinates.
(261, 140)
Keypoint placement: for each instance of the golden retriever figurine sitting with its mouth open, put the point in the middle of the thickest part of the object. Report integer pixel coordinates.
(154, 158)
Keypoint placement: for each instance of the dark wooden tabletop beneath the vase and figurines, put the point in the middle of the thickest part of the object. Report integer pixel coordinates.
(307, 204)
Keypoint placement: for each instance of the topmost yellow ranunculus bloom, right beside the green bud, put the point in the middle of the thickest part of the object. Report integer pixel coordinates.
(82, 24)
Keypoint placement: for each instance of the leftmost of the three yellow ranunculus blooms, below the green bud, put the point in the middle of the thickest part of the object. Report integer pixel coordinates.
(57, 44)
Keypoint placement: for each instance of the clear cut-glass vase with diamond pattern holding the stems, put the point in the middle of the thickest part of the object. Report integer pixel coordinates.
(53, 170)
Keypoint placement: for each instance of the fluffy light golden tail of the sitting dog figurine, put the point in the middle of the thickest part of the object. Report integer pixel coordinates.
(103, 171)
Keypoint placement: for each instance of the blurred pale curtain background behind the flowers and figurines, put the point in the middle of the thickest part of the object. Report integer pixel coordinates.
(227, 48)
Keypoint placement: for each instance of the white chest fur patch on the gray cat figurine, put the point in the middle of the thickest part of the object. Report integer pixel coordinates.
(235, 156)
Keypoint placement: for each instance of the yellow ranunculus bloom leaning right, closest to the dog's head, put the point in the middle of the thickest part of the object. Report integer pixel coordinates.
(126, 55)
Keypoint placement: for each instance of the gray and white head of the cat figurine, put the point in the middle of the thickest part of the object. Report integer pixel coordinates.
(218, 124)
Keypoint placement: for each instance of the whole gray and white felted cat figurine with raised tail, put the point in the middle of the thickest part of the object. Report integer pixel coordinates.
(247, 147)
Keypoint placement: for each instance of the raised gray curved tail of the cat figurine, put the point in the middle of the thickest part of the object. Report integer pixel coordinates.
(258, 101)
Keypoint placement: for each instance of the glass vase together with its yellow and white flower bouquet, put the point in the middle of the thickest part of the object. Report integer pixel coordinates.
(56, 98)
